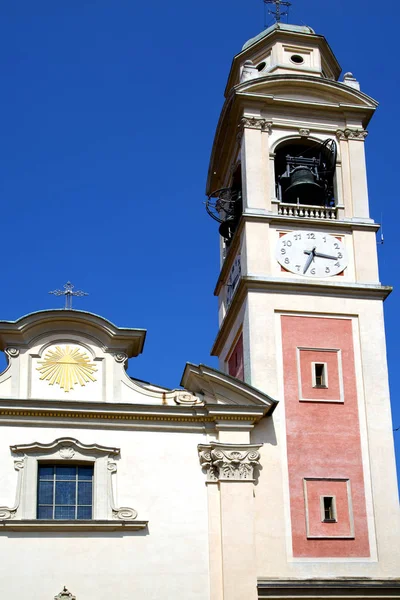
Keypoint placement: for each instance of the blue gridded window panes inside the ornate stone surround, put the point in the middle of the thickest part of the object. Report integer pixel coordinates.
(65, 492)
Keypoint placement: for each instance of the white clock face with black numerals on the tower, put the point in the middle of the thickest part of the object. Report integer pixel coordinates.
(311, 254)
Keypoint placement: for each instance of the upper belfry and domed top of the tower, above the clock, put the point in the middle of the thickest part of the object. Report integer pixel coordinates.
(285, 84)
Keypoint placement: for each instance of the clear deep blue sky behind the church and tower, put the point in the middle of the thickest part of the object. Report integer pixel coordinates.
(108, 112)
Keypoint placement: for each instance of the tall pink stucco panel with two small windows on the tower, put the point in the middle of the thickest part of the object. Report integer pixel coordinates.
(323, 439)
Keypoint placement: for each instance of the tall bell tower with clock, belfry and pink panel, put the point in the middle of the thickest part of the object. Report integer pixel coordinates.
(301, 304)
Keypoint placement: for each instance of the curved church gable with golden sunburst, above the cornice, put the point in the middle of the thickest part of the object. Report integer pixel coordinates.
(69, 358)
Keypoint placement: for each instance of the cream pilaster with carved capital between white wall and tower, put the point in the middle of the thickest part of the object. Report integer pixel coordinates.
(231, 469)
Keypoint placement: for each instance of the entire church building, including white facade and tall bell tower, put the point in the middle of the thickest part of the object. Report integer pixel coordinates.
(273, 476)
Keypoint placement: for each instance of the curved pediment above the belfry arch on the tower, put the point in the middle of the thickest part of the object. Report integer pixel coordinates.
(297, 88)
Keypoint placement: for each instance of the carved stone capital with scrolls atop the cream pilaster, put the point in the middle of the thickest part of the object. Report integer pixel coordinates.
(229, 462)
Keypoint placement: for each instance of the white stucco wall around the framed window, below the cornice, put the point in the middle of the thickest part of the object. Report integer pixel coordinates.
(158, 475)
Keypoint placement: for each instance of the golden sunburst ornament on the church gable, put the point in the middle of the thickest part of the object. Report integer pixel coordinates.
(67, 367)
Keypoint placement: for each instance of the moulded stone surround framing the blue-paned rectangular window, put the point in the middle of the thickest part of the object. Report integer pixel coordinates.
(106, 515)
